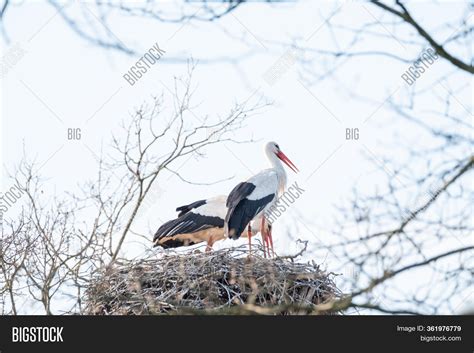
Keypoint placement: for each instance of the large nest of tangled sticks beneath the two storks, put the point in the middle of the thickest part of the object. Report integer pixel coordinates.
(220, 282)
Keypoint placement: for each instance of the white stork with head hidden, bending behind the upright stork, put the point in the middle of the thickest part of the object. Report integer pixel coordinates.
(200, 221)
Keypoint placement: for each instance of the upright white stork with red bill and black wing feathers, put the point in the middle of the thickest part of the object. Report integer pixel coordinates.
(250, 200)
